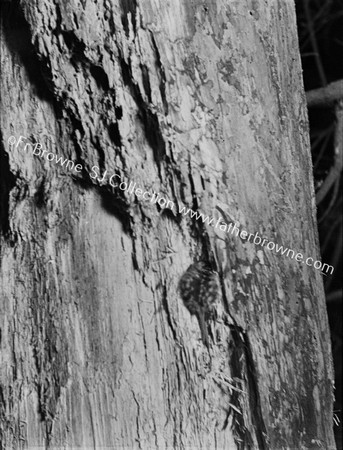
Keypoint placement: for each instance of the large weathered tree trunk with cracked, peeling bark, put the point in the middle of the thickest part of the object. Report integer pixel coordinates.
(203, 103)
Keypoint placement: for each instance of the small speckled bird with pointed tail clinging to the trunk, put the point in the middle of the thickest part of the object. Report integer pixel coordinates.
(200, 290)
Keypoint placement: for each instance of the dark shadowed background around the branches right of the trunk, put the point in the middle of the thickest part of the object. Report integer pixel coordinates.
(320, 28)
